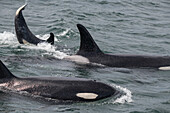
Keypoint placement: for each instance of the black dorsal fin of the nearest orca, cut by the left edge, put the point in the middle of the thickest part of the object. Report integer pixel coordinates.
(4, 72)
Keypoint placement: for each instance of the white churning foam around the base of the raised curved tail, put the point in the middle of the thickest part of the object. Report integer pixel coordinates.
(10, 39)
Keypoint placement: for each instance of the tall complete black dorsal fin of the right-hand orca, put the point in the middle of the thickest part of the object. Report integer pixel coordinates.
(87, 44)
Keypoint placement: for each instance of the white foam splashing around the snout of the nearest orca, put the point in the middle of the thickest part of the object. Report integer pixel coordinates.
(127, 97)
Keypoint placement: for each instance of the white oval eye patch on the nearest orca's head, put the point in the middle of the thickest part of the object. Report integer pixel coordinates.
(87, 95)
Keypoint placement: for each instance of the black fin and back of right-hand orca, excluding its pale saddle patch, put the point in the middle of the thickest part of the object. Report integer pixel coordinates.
(90, 50)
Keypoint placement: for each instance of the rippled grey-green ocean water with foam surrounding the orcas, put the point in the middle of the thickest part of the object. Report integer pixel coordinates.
(139, 27)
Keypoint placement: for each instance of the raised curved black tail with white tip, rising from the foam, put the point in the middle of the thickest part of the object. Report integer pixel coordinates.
(24, 35)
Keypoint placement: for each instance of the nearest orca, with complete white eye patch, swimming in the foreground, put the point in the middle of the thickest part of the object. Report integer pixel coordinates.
(62, 89)
